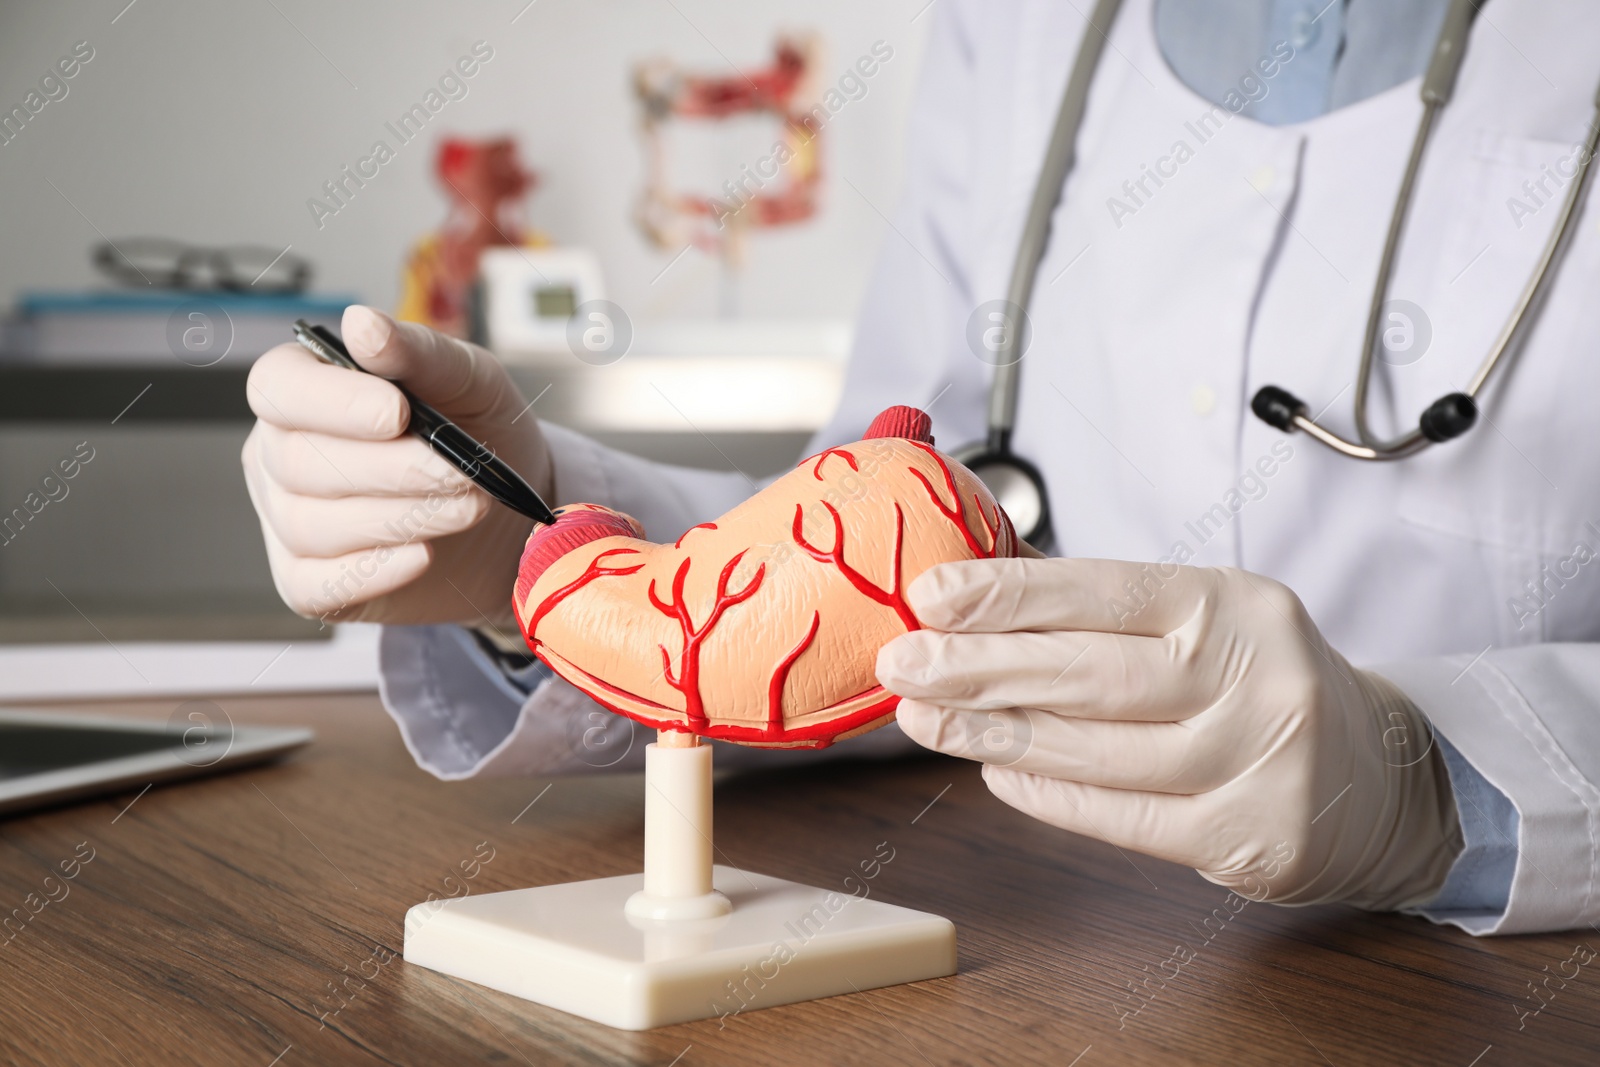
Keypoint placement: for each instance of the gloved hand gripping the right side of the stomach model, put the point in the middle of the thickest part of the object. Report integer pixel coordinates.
(1191, 714)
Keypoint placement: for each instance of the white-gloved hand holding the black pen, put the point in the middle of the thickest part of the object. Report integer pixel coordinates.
(366, 522)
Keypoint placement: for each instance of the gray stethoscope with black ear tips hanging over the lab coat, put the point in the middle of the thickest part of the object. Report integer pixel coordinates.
(1018, 484)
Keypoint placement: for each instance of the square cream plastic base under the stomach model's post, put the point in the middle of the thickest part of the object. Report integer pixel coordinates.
(572, 948)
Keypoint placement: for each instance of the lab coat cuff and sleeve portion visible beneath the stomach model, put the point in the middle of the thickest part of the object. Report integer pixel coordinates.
(463, 714)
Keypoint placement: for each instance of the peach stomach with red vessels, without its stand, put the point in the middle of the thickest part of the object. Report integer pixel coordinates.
(761, 628)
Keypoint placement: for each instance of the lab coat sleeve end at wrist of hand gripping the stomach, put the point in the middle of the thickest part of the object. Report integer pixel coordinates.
(1529, 722)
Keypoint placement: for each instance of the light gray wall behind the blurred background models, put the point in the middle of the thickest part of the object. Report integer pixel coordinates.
(215, 122)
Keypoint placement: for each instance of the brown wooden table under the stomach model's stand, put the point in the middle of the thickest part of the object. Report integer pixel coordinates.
(218, 919)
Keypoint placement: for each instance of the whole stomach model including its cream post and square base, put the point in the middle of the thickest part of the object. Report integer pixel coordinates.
(762, 628)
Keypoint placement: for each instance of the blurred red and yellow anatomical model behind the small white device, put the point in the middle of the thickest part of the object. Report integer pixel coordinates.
(486, 185)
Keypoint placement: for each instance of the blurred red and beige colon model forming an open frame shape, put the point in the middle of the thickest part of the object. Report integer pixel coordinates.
(777, 190)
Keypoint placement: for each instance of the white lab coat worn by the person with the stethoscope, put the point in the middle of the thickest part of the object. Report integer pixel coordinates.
(1252, 263)
